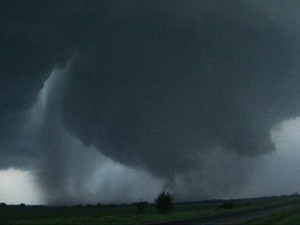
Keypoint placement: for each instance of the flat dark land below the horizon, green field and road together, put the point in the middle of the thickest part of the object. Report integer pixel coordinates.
(252, 211)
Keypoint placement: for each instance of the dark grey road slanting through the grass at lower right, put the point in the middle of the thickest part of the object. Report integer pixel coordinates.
(234, 218)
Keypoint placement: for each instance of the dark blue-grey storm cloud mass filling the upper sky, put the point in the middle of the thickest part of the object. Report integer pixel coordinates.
(154, 84)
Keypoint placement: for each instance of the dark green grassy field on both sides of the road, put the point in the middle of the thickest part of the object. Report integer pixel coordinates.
(127, 214)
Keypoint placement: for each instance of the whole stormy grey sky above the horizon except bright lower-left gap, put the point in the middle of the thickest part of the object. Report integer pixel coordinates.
(114, 101)
